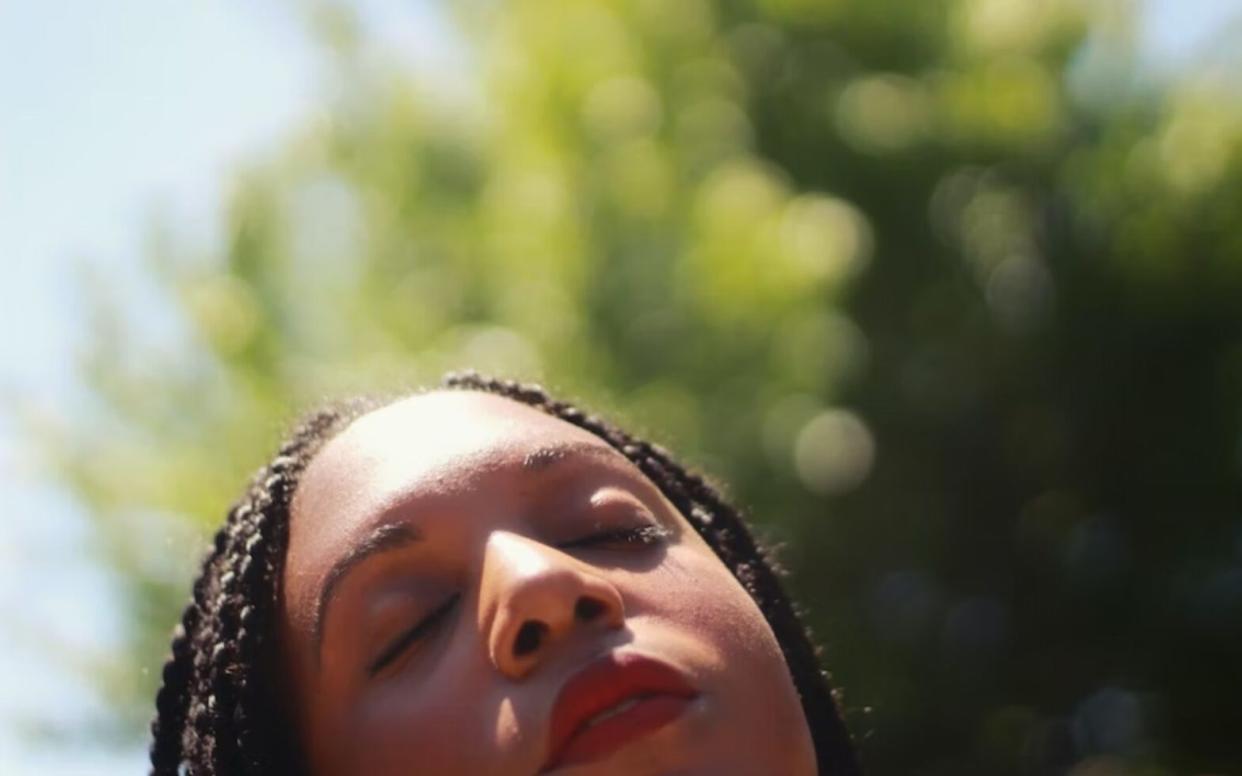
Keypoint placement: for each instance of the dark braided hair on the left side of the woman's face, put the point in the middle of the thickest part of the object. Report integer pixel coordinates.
(214, 716)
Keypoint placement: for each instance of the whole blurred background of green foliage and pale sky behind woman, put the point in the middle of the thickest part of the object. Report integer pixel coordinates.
(948, 292)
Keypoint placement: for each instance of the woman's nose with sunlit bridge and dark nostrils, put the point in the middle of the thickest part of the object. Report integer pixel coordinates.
(537, 597)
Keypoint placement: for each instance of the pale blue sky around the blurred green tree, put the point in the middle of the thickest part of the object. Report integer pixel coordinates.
(117, 114)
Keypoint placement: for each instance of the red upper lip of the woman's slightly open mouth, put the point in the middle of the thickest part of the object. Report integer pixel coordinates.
(605, 684)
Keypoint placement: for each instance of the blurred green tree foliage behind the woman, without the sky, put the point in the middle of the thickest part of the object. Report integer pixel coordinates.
(947, 294)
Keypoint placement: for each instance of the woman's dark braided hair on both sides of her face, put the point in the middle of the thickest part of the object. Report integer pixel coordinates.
(218, 710)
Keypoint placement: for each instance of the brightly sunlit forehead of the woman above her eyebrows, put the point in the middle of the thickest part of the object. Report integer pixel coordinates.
(428, 444)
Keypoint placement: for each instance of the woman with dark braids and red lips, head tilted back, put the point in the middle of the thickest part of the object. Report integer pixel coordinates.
(485, 580)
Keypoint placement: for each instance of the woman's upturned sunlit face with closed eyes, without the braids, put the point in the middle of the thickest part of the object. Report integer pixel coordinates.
(474, 587)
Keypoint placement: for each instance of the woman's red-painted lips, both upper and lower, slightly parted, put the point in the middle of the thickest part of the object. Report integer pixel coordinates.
(660, 695)
